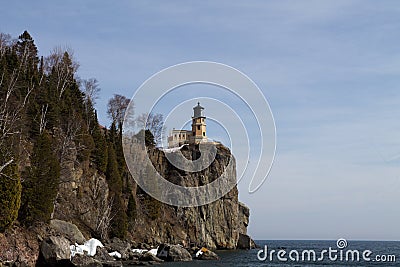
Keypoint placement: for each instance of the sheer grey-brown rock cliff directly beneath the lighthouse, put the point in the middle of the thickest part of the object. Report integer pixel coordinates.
(216, 225)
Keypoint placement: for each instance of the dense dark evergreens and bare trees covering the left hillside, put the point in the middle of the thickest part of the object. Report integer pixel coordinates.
(48, 122)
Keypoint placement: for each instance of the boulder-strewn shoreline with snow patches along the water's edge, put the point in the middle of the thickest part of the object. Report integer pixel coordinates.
(61, 243)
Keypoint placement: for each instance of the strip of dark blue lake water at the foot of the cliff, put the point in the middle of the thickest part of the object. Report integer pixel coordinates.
(374, 251)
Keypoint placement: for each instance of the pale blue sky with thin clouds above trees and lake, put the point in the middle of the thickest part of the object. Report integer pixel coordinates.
(330, 71)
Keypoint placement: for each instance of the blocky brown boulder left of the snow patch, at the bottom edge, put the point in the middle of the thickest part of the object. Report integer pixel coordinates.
(55, 249)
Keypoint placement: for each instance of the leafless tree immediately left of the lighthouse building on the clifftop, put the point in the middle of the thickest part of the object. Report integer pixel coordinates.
(154, 123)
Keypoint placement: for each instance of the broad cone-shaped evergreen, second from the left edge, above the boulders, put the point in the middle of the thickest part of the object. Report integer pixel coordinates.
(41, 183)
